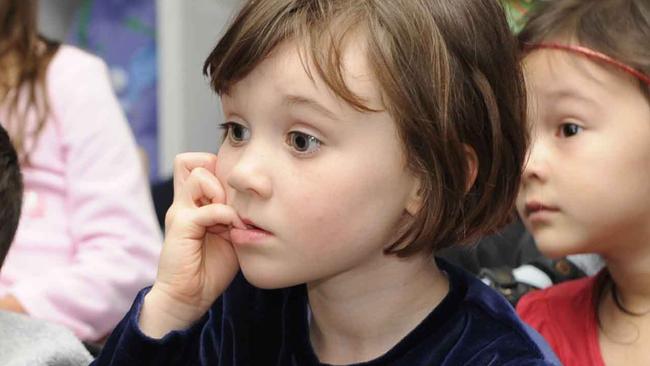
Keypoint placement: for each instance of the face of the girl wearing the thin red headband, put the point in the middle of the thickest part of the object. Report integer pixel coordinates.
(586, 186)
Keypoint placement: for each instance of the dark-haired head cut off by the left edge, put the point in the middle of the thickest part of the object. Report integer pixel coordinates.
(11, 193)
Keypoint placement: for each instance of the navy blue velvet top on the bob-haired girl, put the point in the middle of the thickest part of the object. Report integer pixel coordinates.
(473, 325)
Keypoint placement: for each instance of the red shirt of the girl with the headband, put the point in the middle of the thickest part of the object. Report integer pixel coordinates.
(564, 314)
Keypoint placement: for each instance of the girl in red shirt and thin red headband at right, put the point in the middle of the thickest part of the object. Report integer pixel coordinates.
(586, 185)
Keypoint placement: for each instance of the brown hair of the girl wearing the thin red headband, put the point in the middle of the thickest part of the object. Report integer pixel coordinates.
(617, 28)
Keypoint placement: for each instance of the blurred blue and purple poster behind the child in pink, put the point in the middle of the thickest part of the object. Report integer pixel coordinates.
(122, 32)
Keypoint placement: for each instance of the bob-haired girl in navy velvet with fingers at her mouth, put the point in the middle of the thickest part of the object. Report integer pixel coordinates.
(361, 137)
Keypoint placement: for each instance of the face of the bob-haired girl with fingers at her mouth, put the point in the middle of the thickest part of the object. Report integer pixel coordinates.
(323, 186)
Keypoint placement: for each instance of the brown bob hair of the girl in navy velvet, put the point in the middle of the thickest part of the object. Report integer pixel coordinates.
(450, 79)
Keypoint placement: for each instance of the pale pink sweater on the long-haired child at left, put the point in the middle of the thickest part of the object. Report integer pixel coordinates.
(88, 238)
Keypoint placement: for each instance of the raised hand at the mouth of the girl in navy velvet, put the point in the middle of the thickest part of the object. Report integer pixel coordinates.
(197, 262)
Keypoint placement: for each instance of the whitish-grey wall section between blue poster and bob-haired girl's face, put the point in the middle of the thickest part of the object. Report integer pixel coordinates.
(189, 112)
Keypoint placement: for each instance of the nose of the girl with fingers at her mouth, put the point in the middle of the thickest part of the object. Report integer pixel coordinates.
(249, 174)
